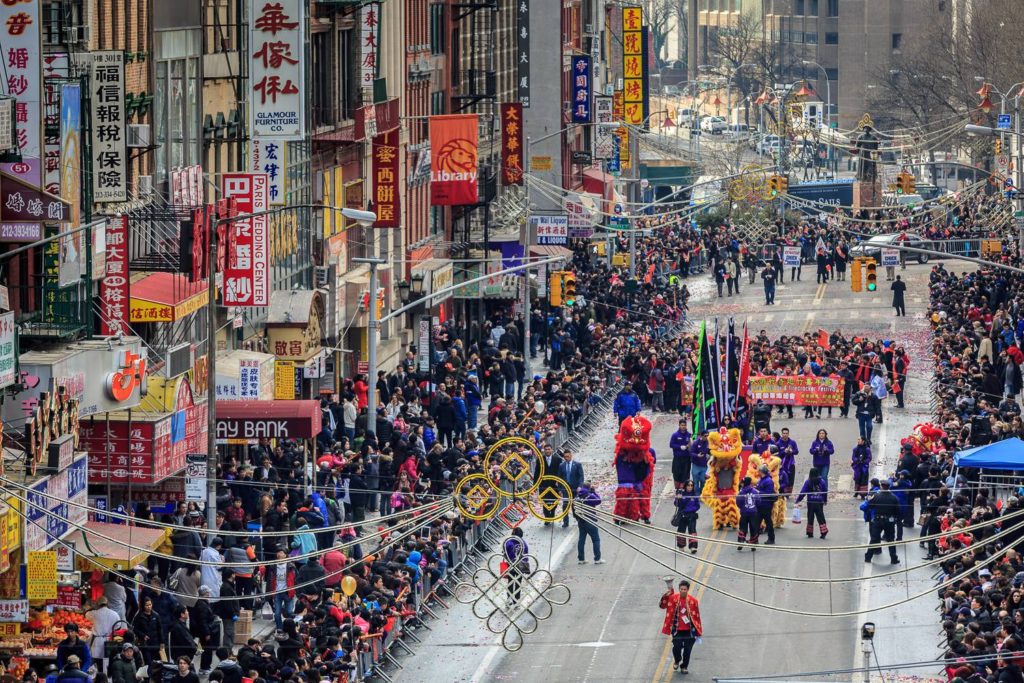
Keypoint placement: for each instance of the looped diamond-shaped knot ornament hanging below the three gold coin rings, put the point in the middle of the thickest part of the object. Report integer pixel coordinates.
(513, 601)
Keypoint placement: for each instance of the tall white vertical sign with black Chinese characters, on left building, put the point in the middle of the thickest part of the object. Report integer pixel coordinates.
(110, 154)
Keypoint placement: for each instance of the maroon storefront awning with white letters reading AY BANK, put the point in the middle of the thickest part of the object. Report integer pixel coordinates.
(270, 419)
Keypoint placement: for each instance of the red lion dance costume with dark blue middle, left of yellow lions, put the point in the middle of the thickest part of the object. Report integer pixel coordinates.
(635, 468)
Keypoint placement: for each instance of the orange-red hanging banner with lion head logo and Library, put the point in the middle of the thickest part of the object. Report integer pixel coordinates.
(453, 160)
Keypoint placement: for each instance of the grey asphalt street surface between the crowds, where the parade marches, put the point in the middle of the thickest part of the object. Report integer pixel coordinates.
(611, 631)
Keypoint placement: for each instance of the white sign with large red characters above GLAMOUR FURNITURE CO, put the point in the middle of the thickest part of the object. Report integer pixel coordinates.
(276, 40)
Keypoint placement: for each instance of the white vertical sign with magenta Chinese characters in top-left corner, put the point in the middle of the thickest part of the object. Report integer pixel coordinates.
(20, 26)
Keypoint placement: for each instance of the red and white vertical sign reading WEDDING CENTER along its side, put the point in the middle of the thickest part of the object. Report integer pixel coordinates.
(247, 273)
